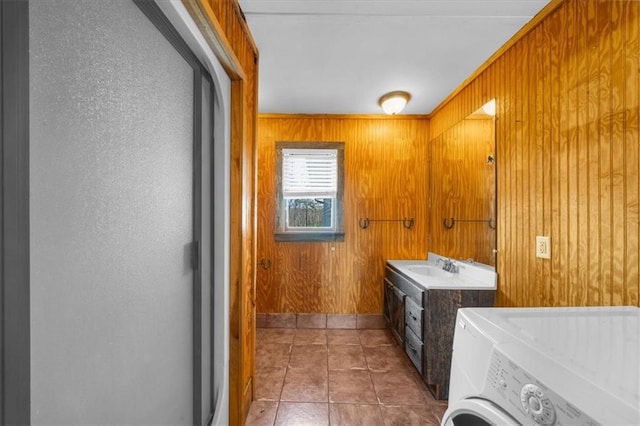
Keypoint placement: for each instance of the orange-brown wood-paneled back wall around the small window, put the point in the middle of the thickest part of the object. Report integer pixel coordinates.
(386, 177)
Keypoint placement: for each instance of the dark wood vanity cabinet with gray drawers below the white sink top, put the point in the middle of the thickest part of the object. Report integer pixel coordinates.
(425, 323)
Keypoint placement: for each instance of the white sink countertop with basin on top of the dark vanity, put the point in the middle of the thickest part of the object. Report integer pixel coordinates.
(430, 275)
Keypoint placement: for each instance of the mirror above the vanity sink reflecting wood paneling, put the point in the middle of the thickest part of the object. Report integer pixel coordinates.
(463, 188)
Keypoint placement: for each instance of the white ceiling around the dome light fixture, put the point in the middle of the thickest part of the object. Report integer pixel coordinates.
(340, 56)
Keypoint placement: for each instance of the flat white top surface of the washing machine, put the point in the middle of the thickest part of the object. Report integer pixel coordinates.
(599, 344)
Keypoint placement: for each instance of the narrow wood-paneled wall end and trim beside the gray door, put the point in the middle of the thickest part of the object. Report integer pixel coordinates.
(223, 25)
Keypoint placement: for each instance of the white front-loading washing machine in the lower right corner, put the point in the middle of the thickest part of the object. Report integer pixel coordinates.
(546, 366)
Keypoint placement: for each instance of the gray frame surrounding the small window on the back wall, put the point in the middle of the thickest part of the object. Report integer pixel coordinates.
(284, 233)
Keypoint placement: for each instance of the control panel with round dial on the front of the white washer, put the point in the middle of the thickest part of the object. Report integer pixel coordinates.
(527, 399)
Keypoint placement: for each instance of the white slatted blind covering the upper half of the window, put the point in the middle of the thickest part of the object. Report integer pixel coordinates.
(309, 173)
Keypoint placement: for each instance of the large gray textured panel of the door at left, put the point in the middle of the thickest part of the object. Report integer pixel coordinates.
(111, 216)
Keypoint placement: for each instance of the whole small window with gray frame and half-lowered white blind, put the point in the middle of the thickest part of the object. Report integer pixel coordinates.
(309, 182)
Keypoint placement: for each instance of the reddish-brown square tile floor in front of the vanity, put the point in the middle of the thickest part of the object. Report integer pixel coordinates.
(337, 377)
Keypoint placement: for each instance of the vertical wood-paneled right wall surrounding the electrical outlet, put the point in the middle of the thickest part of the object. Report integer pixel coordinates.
(567, 155)
